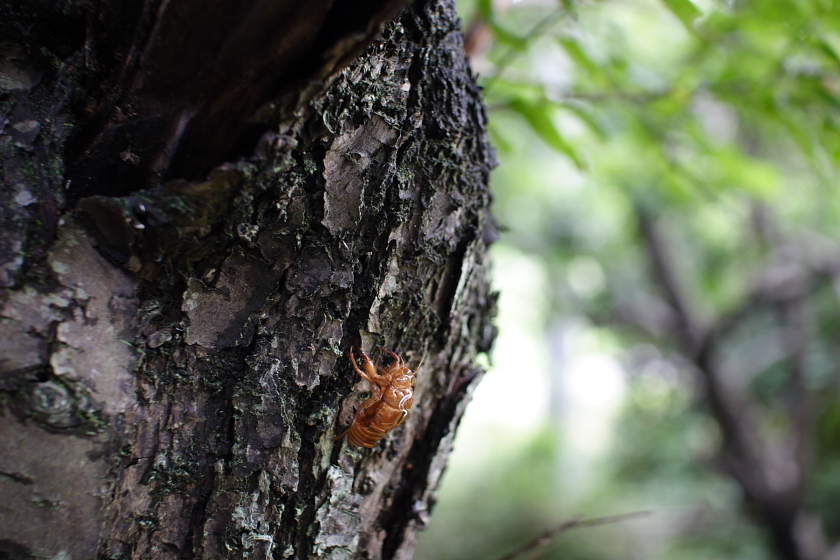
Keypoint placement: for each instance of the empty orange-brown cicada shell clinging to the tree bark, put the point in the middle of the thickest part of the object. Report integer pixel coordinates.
(388, 407)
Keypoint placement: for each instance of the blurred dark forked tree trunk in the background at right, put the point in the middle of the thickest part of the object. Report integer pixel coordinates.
(772, 477)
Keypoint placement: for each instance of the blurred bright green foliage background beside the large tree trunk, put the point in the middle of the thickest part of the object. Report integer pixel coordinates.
(669, 269)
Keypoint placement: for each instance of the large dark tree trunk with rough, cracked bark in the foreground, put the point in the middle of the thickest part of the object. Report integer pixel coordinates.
(202, 210)
